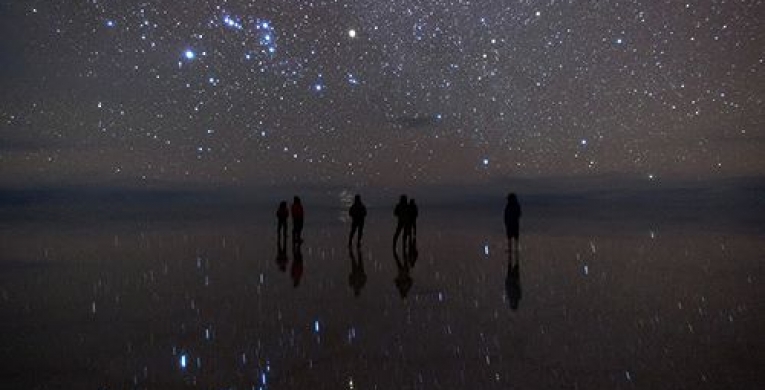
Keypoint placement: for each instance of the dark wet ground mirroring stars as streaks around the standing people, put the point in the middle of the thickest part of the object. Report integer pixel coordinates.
(204, 304)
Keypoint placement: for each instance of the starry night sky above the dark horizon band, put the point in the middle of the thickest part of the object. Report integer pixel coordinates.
(379, 92)
